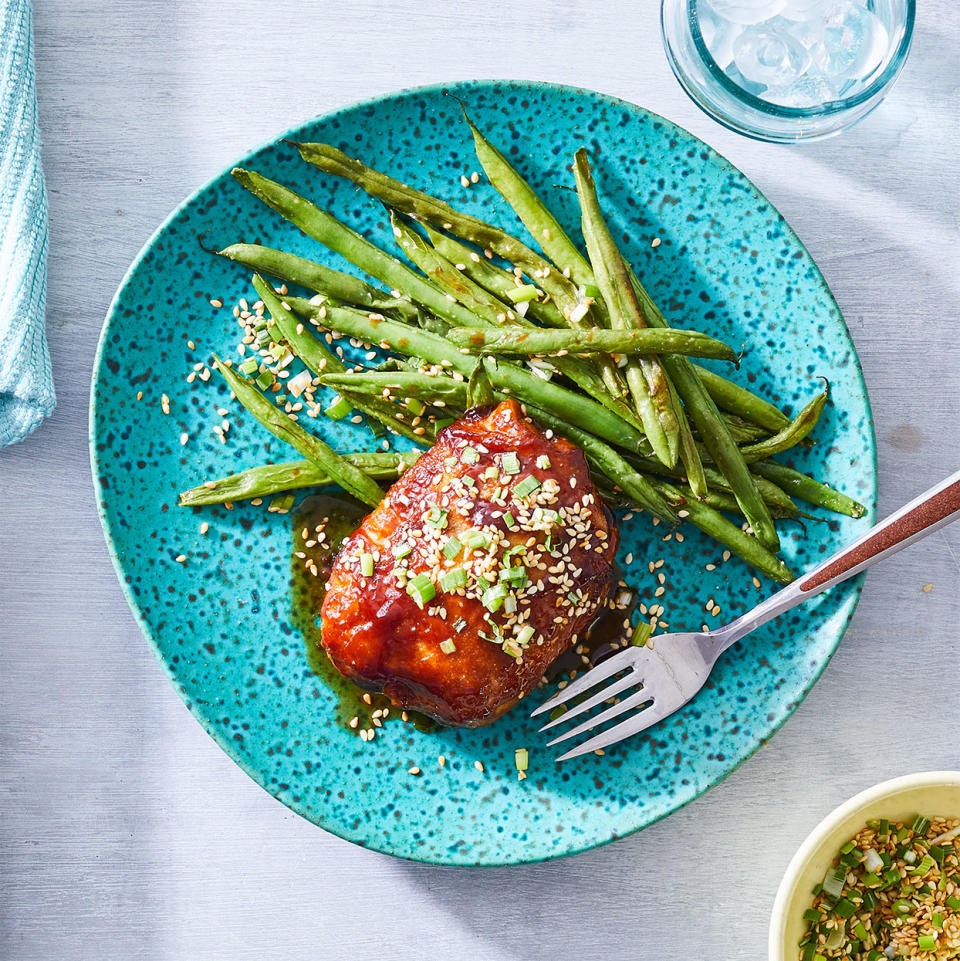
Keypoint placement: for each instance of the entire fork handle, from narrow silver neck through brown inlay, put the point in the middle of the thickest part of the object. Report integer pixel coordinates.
(922, 516)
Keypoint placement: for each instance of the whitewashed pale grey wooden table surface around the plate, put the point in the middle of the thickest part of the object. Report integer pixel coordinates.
(126, 832)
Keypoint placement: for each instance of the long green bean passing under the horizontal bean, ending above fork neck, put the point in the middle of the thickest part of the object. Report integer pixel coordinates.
(702, 411)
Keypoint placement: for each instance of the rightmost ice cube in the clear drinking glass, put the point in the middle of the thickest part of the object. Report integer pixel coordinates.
(853, 42)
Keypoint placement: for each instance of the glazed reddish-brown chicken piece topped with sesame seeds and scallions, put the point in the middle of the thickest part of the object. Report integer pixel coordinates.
(485, 561)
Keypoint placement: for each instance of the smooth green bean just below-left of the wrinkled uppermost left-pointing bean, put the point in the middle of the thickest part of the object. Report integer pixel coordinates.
(326, 229)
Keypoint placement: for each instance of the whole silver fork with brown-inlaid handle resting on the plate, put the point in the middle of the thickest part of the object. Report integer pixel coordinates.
(670, 670)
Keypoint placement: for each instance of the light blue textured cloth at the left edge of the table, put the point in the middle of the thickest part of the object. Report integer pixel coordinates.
(26, 383)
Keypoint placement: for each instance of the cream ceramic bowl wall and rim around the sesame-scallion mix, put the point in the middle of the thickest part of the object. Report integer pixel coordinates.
(932, 793)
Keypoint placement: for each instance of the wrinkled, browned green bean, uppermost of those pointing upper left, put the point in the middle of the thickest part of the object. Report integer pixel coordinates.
(422, 206)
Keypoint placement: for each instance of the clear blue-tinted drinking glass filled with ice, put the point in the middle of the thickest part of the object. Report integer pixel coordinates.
(787, 70)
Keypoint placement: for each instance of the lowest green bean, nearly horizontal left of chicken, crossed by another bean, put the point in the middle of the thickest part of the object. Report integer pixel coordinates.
(270, 479)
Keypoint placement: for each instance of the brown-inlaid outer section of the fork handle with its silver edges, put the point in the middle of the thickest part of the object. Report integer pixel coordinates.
(922, 516)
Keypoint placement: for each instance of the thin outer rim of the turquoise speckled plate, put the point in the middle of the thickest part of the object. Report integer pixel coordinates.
(849, 604)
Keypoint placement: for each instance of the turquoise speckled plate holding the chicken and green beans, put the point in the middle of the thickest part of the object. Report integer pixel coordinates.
(221, 622)
